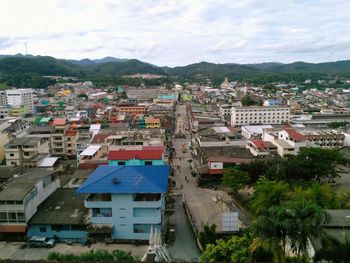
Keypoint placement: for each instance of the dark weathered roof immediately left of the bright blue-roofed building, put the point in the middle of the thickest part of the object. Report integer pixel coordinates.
(61, 208)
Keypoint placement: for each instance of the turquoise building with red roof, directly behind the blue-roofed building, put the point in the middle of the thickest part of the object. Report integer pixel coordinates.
(136, 157)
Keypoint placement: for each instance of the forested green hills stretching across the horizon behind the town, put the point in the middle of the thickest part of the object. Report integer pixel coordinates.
(19, 66)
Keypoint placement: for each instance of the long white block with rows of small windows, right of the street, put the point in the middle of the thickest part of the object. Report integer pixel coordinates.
(259, 115)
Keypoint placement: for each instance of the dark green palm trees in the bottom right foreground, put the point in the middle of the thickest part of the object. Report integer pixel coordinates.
(289, 225)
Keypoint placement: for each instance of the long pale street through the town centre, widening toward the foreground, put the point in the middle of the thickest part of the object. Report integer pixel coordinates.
(205, 205)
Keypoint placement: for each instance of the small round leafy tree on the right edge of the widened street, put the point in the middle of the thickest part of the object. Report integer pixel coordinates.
(235, 178)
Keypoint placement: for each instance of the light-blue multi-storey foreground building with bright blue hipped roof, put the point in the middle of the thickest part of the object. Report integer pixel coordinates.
(124, 202)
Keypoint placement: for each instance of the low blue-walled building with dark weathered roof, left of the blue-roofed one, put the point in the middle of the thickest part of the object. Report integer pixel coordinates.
(61, 216)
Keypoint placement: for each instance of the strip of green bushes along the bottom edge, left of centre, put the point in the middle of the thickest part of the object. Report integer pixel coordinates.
(100, 255)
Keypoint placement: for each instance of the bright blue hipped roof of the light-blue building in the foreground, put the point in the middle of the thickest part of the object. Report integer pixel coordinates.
(130, 179)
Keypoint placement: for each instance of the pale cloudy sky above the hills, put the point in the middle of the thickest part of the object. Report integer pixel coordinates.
(176, 33)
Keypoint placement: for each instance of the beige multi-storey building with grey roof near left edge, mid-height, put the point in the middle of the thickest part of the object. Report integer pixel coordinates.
(26, 151)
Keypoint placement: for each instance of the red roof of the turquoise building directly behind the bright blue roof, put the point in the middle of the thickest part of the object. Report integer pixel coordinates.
(137, 154)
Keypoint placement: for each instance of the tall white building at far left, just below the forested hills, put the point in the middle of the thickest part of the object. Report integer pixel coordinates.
(20, 97)
